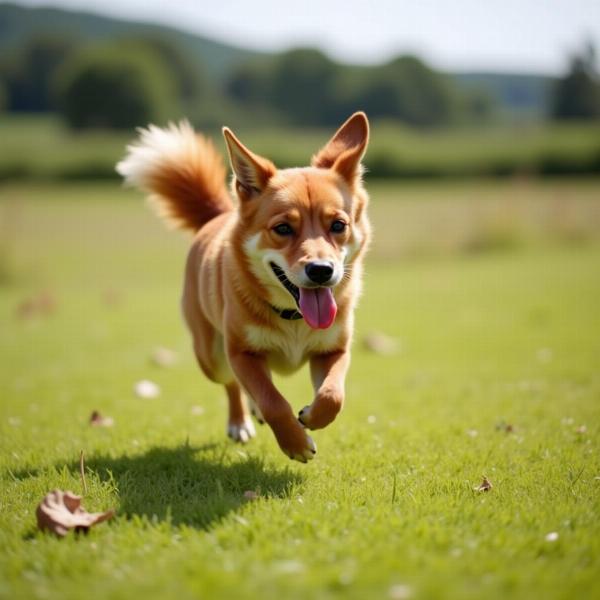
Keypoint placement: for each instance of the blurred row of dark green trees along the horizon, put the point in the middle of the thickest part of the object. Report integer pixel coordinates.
(129, 82)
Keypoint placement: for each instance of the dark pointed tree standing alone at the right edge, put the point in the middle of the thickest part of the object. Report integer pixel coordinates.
(577, 94)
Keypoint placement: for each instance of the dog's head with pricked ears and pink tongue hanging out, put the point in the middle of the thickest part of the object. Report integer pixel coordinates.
(304, 228)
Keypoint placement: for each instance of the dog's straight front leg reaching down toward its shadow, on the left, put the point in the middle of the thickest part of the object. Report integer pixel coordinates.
(253, 374)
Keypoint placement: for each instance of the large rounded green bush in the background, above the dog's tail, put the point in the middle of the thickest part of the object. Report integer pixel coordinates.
(111, 88)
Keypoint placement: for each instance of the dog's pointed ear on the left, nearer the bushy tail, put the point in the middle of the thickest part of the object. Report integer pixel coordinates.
(252, 172)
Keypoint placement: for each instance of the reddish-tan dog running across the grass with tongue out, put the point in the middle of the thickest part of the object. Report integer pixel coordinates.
(274, 271)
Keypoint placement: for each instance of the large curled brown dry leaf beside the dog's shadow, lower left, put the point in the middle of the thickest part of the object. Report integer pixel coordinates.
(60, 511)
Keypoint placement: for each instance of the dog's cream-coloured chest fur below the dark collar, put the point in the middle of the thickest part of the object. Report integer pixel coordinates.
(289, 347)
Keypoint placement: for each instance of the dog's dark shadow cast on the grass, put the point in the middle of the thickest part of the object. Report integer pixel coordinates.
(185, 485)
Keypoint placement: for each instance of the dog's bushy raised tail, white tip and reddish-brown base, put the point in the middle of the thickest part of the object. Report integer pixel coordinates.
(181, 172)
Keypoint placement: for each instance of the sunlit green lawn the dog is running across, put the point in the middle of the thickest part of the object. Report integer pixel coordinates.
(506, 334)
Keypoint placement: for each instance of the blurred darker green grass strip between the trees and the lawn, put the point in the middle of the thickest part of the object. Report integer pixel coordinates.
(43, 148)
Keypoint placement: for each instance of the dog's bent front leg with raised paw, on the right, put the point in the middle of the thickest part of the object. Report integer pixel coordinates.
(328, 372)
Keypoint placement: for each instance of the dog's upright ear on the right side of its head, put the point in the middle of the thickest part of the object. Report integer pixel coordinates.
(344, 151)
